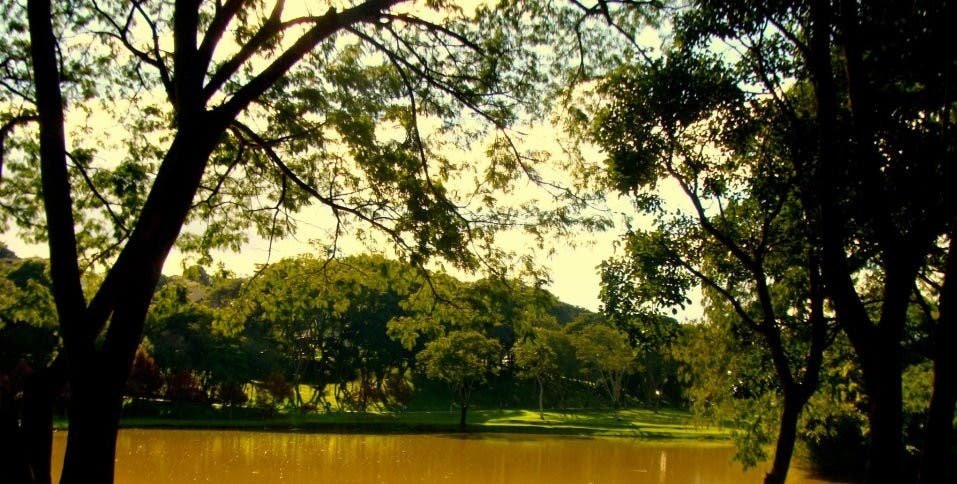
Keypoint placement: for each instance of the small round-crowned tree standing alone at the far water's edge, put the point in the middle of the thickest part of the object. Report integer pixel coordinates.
(463, 360)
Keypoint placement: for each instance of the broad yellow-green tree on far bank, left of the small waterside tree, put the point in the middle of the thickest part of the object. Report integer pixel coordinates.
(326, 321)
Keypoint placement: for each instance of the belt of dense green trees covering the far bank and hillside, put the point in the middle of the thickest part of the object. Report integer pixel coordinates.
(357, 334)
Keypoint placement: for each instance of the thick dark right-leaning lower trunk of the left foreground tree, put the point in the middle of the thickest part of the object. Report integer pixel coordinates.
(97, 382)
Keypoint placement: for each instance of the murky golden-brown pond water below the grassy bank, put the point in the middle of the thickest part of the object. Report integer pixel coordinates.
(235, 457)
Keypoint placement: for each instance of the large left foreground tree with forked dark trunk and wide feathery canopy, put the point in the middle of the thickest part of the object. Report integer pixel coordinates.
(235, 115)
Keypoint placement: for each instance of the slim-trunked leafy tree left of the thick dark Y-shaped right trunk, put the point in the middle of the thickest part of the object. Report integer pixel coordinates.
(682, 119)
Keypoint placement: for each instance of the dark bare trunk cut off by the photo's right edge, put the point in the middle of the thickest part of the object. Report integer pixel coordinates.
(935, 462)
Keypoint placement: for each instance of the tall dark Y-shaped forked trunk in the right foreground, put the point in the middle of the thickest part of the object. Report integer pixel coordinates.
(878, 347)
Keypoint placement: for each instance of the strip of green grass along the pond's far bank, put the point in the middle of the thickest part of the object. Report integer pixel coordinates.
(634, 423)
